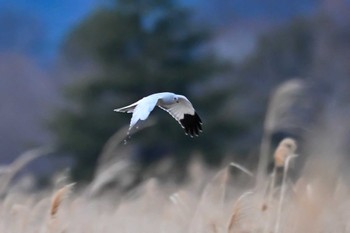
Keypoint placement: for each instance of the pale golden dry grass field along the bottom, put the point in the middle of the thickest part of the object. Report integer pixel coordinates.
(222, 205)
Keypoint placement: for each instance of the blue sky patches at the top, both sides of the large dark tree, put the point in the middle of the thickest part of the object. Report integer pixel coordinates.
(43, 24)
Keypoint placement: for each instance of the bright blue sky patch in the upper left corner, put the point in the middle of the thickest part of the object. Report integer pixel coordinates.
(53, 19)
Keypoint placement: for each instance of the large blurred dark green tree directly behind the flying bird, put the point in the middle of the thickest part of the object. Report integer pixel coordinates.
(139, 48)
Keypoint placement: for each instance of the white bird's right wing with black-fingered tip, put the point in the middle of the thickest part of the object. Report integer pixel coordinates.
(185, 114)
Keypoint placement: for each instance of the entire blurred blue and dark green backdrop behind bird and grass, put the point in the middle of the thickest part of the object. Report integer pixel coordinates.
(227, 57)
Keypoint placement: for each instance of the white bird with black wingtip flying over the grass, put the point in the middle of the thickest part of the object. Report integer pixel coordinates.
(178, 106)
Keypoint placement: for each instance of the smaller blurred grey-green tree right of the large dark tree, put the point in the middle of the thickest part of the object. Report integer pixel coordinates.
(282, 53)
